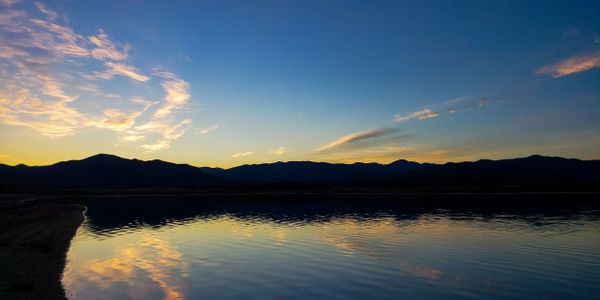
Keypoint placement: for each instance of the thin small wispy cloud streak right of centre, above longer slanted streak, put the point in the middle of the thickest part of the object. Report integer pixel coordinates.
(434, 111)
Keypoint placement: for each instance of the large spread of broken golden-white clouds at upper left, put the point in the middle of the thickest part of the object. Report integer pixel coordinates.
(49, 71)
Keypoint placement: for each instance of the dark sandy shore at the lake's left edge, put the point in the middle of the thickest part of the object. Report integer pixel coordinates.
(34, 240)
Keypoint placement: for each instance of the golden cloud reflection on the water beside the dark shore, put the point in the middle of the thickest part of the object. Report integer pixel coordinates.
(141, 263)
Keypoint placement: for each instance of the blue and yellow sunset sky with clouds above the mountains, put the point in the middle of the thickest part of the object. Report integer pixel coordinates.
(226, 83)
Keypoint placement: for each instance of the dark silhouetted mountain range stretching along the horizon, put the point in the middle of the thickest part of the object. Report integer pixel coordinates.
(105, 170)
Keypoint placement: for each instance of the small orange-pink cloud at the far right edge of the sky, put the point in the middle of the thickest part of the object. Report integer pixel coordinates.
(571, 65)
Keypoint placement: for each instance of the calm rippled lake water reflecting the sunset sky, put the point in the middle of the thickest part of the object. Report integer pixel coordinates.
(174, 248)
